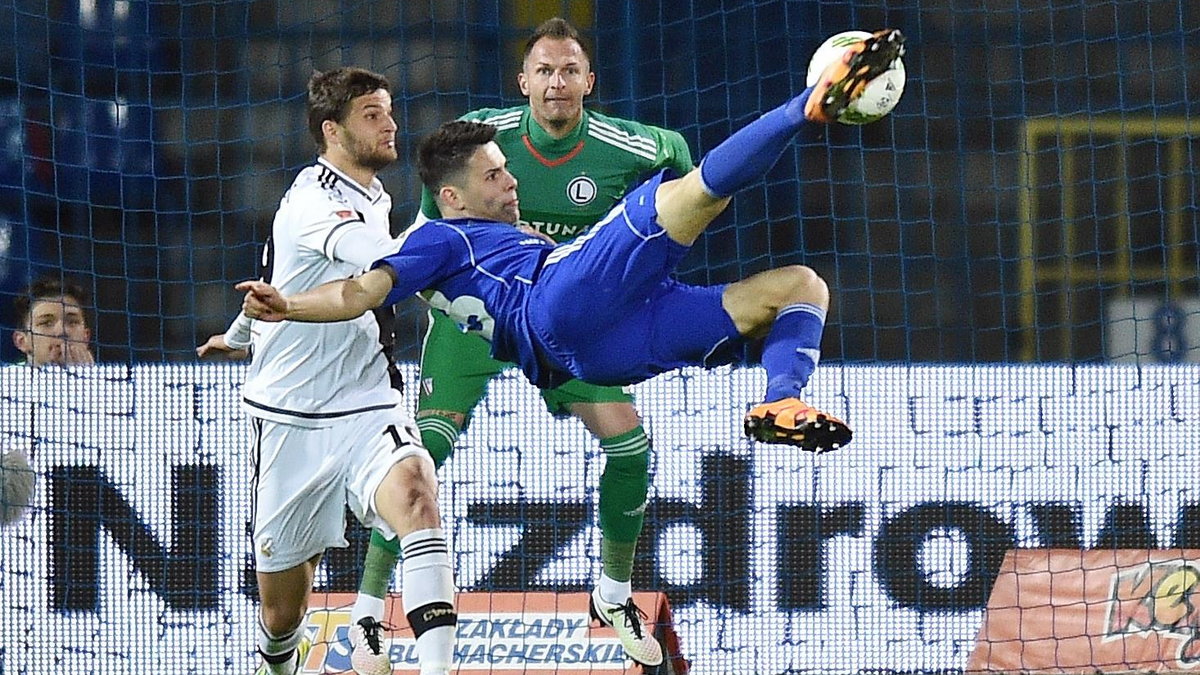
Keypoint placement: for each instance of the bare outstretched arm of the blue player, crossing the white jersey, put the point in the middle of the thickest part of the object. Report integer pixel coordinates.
(337, 301)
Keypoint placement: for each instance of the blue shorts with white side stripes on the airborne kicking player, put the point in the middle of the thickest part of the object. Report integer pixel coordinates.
(607, 310)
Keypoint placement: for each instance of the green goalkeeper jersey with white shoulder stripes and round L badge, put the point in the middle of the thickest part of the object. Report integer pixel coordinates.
(568, 184)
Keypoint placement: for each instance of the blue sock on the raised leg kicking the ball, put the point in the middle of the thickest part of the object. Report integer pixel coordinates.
(749, 154)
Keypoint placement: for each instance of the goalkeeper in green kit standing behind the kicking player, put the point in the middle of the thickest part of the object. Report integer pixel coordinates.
(573, 166)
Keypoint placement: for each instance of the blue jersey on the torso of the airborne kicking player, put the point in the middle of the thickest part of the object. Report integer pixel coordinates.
(479, 273)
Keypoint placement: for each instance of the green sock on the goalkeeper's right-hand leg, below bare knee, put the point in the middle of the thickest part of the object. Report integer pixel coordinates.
(623, 489)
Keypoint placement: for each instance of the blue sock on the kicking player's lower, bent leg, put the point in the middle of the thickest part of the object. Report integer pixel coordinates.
(793, 350)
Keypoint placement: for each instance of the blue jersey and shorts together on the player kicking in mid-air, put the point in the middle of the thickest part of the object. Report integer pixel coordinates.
(601, 308)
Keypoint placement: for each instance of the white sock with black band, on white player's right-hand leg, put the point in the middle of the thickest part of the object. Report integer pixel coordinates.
(429, 598)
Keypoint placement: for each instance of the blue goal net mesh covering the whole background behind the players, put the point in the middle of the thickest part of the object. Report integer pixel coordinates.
(1028, 214)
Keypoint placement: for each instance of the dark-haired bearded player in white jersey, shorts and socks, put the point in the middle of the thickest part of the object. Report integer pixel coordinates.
(331, 425)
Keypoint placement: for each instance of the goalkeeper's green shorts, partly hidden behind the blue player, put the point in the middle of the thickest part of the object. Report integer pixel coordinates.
(457, 368)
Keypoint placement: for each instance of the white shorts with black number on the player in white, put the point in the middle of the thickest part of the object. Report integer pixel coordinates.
(305, 477)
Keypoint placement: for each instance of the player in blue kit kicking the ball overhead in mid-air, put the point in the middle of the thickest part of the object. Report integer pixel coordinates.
(603, 307)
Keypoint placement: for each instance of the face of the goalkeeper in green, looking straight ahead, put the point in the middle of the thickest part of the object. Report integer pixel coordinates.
(556, 77)
